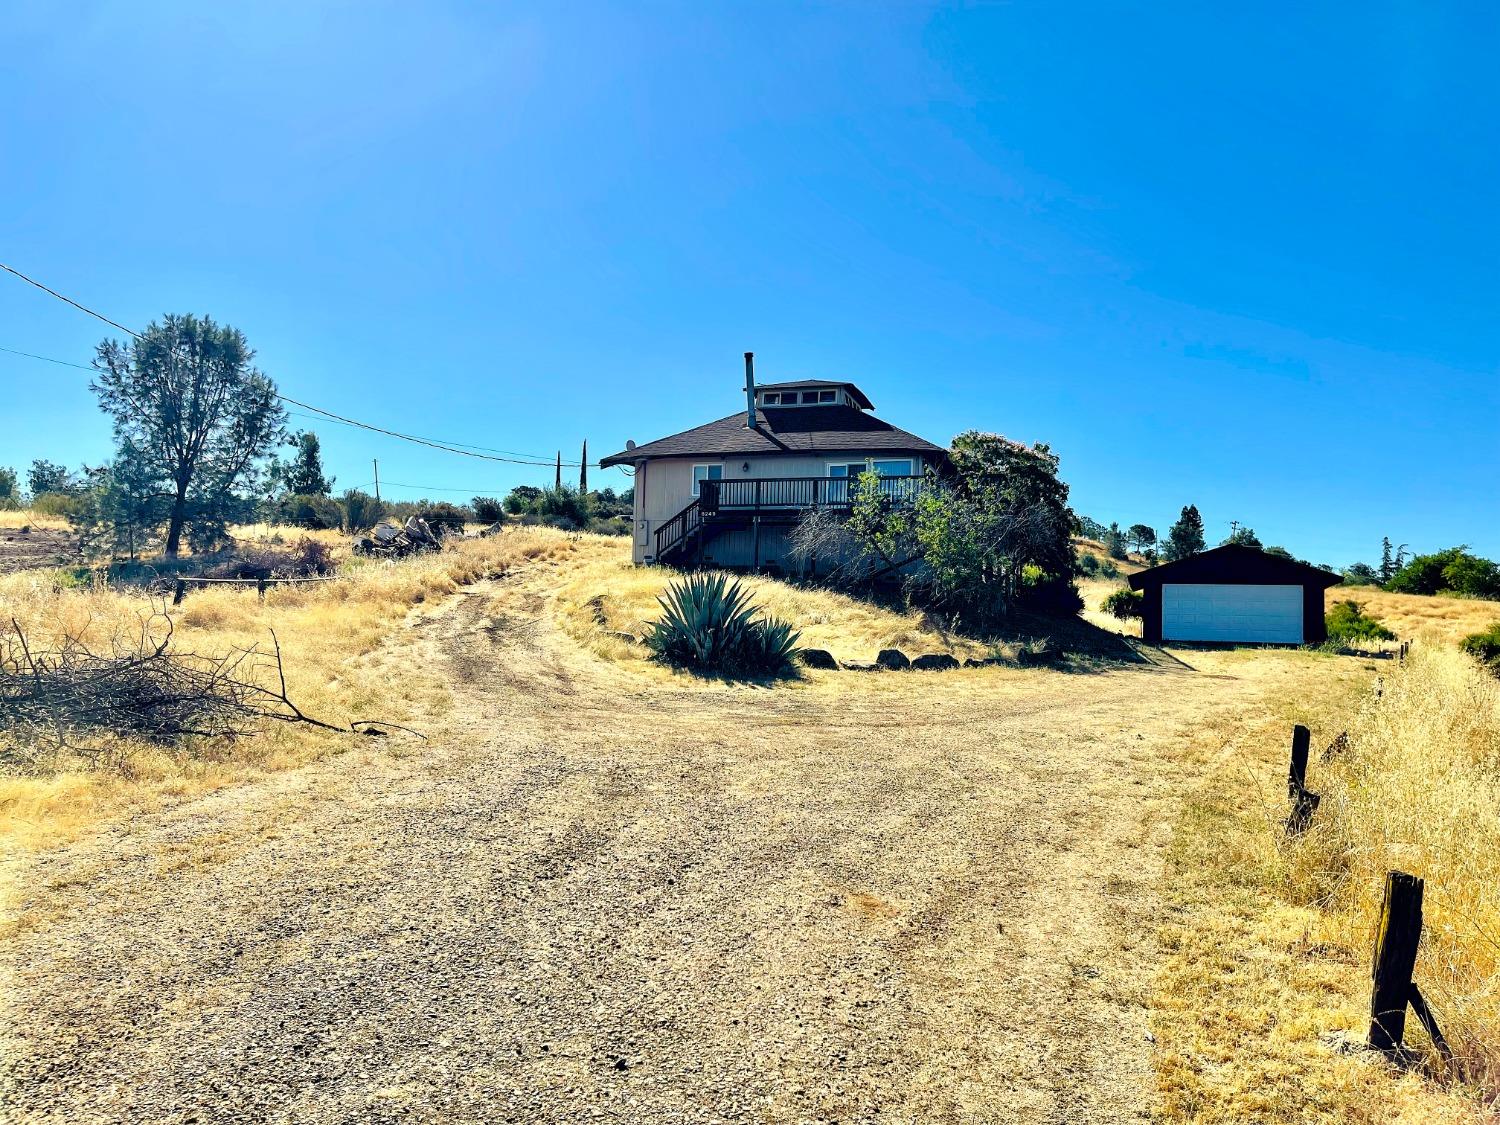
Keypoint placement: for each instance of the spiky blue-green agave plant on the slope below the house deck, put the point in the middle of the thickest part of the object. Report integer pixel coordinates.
(710, 625)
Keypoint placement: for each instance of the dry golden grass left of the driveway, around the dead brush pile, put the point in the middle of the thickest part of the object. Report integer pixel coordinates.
(332, 638)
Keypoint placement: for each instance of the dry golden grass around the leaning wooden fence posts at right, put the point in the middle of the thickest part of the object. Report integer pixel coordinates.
(1268, 946)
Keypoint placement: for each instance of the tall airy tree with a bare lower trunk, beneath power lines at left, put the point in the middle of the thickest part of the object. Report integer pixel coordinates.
(193, 416)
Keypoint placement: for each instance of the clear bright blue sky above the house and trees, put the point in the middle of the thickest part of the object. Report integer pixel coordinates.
(1243, 257)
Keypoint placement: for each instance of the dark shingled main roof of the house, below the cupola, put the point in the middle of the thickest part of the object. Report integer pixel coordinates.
(791, 430)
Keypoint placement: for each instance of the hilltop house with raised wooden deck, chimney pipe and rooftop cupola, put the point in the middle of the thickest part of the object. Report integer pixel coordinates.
(730, 491)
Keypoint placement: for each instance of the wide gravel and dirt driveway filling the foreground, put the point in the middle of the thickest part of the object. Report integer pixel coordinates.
(595, 896)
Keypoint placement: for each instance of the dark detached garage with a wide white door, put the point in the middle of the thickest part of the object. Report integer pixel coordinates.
(1234, 595)
